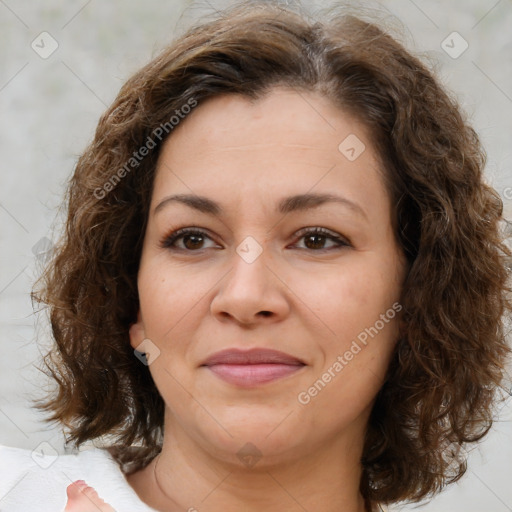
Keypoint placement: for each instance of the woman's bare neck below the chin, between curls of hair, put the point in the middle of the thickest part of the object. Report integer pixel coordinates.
(185, 476)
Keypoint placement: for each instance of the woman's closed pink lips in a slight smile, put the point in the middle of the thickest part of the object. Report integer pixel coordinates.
(249, 368)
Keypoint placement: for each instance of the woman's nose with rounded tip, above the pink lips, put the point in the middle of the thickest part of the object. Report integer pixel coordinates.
(251, 293)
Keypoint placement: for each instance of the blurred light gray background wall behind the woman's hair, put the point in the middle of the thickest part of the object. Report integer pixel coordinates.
(49, 109)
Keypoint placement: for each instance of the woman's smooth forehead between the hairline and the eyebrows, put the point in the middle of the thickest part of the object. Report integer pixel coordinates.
(284, 142)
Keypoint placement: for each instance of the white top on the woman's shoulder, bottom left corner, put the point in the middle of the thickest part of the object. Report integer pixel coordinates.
(30, 481)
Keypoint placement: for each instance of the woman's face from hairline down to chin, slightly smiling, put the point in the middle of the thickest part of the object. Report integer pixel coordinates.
(255, 180)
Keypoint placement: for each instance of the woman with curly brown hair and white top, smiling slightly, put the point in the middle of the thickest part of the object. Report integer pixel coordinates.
(282, 284)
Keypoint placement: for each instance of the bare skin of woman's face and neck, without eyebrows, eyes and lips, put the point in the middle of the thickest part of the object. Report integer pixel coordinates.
(247, 156)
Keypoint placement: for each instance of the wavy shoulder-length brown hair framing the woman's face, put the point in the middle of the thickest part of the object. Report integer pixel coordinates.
(445, 375)
